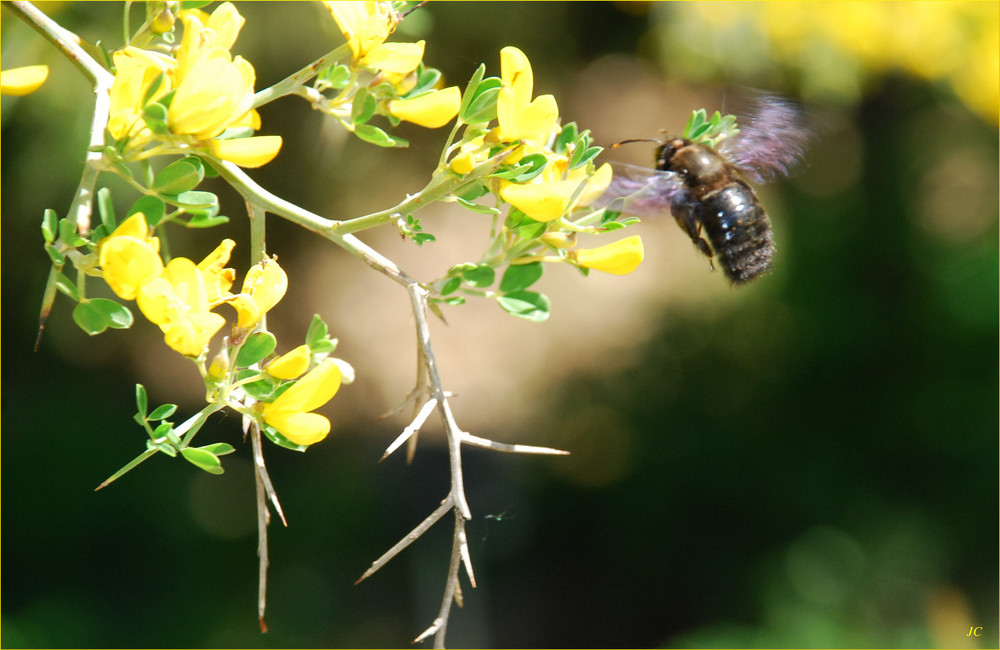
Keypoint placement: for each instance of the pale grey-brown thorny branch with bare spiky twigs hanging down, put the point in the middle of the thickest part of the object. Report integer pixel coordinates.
(428, 395)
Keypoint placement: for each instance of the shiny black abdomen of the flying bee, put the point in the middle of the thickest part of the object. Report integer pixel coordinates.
(739, 231)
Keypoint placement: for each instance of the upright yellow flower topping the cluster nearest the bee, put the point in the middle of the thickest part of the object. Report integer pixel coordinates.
(518, 116)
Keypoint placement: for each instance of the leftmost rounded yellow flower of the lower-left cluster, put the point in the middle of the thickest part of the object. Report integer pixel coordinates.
(129, 257)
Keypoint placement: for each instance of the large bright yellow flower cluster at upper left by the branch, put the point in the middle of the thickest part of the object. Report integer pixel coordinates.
(199, 99)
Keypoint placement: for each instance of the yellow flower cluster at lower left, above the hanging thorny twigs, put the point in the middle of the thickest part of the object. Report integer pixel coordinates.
(180, 297)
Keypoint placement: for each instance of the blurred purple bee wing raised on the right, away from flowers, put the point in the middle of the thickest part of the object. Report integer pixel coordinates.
(771, 140)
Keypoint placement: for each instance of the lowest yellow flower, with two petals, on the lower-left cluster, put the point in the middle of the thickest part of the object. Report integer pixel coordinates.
(290, 412)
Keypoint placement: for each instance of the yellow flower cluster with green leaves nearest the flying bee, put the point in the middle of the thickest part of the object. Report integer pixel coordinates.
(547, 176)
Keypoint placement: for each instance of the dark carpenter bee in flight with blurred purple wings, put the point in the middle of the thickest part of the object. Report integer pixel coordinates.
(698, 178)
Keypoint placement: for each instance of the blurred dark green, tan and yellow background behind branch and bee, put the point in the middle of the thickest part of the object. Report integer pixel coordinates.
(810, 461)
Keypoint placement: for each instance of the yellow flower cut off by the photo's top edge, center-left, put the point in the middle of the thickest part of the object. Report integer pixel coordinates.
(366, 25)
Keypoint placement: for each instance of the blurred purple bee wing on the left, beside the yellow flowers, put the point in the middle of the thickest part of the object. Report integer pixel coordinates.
(641, 191)
